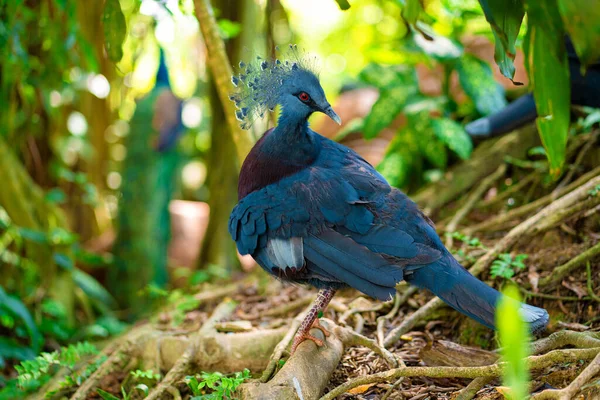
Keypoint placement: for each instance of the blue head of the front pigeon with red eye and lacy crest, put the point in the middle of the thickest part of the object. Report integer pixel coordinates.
(291, 84)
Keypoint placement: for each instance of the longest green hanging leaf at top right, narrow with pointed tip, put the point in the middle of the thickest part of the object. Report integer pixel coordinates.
(549, 75)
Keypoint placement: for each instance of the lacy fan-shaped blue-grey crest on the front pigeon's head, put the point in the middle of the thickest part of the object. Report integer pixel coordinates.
(258, 84)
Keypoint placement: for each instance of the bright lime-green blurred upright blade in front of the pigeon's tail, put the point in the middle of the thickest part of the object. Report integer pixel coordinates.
(514, 338)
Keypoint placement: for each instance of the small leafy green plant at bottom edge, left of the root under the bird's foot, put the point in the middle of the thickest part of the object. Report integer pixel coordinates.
(221, 386)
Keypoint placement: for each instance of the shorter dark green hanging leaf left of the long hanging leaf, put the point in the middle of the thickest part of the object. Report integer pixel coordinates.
(505, 18)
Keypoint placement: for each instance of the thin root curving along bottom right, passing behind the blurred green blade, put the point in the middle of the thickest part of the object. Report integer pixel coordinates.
(489, 371)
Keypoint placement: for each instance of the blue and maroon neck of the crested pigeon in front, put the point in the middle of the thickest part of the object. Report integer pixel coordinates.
(281, 152)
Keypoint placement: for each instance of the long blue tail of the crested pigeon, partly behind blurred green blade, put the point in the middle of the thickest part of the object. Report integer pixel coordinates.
(451, 282)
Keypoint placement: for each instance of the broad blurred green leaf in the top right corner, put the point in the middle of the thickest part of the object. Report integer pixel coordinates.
(581, 19)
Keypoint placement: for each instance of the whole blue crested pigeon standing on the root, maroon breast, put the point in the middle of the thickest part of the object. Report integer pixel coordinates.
(312, 211)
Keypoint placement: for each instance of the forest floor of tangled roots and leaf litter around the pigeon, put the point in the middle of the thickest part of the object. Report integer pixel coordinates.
(509, 208)
